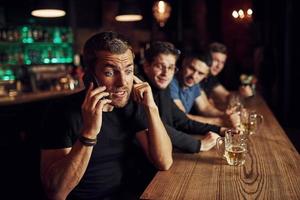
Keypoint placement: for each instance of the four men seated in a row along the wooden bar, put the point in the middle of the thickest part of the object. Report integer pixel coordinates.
(90, 139)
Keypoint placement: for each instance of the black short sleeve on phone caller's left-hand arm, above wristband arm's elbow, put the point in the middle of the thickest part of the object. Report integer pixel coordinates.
(56, 127)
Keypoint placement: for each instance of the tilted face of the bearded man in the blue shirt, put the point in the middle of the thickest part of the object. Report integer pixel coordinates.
(193, 72)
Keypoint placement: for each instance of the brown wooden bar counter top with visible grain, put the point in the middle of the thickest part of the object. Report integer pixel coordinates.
(271, 171)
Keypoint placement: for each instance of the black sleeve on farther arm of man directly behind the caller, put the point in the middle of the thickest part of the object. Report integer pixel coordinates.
(183, 123)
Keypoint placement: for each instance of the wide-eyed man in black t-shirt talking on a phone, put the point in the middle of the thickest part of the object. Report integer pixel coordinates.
(88, 136)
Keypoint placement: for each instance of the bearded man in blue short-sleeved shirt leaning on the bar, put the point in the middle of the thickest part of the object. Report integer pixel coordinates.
(187, 94)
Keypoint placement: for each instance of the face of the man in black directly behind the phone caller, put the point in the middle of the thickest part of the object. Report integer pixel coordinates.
(161, 71)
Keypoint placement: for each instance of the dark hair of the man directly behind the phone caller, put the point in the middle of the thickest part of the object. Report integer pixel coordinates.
(160, 47)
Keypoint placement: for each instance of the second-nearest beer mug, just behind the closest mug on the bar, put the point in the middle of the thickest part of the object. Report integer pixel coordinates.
(250, 121)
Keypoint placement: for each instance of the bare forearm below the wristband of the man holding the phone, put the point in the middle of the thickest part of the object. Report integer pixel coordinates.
(60, 177)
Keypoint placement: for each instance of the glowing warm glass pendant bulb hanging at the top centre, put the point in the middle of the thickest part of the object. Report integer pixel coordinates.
(161, 11)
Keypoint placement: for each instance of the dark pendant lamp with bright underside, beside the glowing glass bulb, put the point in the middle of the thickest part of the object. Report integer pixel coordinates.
(129, 11)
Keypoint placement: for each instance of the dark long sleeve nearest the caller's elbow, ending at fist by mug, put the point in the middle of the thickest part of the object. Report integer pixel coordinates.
(183, 141)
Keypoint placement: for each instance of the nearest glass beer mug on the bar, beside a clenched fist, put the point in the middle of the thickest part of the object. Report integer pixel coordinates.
(233, 147)
